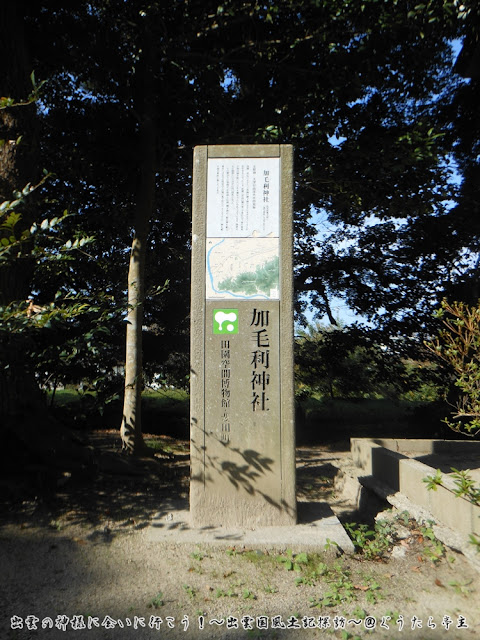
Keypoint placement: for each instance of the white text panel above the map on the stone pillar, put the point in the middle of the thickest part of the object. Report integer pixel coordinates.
(243, 197)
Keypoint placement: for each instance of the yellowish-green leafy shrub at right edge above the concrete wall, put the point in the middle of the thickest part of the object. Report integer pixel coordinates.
(458, 344)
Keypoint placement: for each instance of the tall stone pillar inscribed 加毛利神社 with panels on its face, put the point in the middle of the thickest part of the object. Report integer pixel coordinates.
(242, 400)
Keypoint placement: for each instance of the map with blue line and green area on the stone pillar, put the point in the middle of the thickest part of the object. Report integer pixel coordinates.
(244, 268)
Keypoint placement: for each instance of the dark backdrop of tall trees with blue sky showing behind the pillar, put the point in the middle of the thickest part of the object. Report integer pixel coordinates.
(109, 98)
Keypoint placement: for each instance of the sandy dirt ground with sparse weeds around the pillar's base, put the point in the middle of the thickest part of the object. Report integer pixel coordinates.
(76, 556)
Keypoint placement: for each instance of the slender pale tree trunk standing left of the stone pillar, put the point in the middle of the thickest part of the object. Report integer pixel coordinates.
(131, 428)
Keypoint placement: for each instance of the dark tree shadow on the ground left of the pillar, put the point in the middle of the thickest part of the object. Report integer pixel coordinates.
(112, 494)
